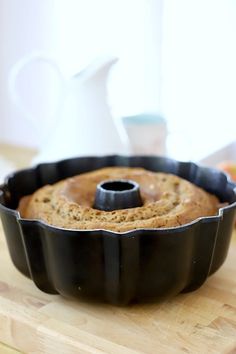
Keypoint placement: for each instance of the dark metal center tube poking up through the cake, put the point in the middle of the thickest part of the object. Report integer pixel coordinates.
(117, 194)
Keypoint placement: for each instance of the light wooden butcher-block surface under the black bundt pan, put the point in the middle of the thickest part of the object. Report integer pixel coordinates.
(203, 321)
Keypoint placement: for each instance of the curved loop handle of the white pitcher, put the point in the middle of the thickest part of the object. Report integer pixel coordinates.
(13, 75)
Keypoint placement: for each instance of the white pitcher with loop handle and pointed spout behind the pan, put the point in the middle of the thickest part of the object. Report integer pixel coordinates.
(83, 124)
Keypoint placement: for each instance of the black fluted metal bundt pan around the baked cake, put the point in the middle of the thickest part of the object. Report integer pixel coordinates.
(138, 265)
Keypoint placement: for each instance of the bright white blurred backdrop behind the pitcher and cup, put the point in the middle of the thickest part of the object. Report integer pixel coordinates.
(176, 57)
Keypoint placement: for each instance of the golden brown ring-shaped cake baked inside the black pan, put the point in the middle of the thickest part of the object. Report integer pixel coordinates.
(168, 201)
